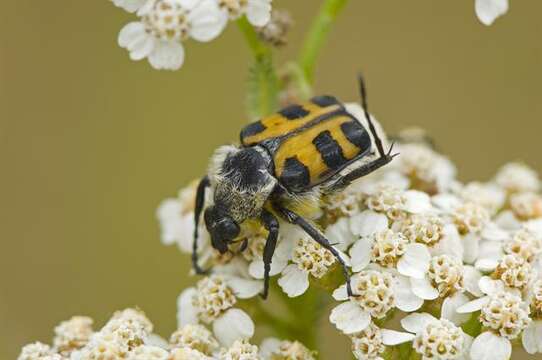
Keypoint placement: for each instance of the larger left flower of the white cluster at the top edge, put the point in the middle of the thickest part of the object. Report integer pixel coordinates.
(164, 24)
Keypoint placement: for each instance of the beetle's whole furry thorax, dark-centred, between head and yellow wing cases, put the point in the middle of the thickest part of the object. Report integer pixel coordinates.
(241, 181)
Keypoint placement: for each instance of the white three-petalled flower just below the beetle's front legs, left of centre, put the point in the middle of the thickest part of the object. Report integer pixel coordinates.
(212, 302)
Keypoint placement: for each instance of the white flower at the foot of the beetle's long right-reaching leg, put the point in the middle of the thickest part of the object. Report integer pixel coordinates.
(374, 297)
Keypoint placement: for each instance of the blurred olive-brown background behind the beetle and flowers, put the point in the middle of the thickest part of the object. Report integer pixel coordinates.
(90, 142)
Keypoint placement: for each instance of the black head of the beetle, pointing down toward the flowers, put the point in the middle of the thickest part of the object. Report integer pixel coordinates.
(222, 227)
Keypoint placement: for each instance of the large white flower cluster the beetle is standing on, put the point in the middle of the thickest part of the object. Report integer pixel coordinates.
(412, 235)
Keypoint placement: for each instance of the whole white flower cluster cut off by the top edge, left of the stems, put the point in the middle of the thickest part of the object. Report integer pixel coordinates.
(164, 25)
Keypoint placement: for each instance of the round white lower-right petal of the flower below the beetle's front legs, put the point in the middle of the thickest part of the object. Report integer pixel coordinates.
(233, 325)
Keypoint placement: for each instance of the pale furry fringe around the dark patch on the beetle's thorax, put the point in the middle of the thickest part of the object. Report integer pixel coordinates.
(243, 203)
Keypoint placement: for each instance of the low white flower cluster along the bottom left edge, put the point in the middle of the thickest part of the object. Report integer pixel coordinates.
(128, 335)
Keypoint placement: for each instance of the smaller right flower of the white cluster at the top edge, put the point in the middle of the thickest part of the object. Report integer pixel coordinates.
(258, 12)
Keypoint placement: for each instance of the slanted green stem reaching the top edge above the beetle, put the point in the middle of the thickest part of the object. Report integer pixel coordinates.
(317, 36)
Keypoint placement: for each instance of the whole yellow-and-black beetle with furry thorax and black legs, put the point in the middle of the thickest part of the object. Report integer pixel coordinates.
(304, 150)
